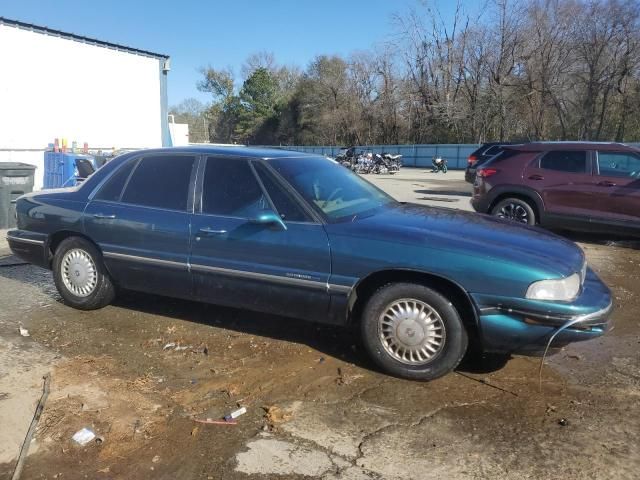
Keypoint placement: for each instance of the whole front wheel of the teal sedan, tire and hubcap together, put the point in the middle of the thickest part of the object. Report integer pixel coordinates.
(413, 332)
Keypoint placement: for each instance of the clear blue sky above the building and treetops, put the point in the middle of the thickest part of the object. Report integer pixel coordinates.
(223, 33)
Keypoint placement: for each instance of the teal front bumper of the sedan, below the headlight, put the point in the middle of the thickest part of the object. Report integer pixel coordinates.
(510, 325)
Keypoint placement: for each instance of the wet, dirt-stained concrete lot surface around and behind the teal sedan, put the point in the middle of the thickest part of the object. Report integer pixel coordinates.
(140, 373)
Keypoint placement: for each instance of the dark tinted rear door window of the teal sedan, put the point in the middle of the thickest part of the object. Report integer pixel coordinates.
(160, 181)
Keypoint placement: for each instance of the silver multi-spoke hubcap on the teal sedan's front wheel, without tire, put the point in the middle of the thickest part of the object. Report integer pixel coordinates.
(411, 331)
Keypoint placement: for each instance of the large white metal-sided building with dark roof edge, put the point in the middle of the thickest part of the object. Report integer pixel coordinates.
(55, 84)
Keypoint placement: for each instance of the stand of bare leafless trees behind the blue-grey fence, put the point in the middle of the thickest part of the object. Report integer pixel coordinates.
(517, 70)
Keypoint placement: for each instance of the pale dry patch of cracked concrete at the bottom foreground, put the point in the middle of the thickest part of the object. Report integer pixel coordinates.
(359, 449)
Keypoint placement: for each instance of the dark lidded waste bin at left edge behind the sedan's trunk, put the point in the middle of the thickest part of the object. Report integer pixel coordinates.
(15, 179)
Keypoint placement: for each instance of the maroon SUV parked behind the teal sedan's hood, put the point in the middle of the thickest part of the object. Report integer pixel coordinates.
(570, 185)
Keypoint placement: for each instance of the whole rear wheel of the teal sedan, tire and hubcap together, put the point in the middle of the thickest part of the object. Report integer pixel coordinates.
(80, 275)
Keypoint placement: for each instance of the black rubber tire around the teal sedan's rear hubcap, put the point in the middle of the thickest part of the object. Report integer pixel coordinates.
(101, 295)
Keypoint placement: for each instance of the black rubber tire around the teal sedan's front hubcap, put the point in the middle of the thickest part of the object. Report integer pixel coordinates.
(455, 336)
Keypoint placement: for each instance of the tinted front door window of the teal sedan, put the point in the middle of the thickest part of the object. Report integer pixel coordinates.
(231, 189)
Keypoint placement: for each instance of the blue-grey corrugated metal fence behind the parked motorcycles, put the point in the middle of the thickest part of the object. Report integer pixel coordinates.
(412, 155)
